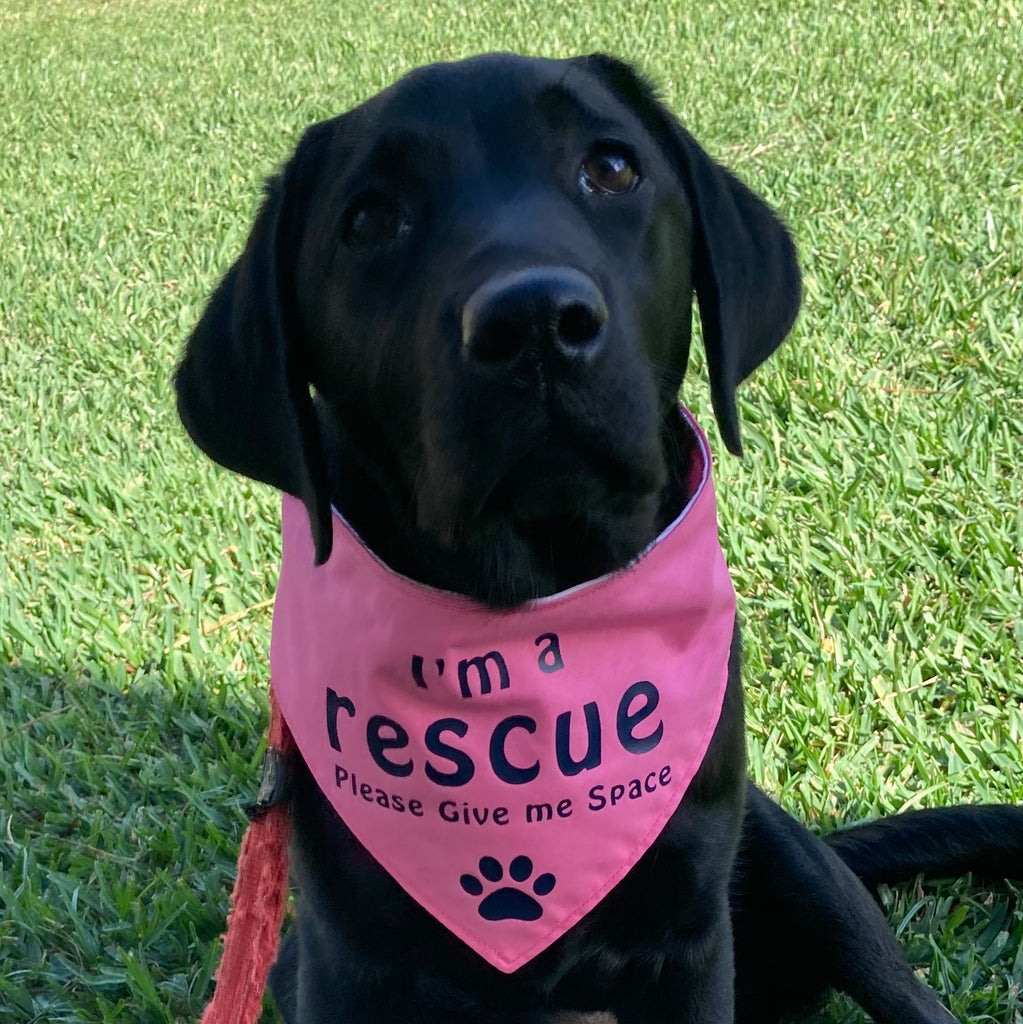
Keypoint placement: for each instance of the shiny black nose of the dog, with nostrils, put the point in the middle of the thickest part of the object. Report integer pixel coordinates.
(550, 311)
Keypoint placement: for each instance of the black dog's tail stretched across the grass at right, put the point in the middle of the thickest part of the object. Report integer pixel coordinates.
(985, 839)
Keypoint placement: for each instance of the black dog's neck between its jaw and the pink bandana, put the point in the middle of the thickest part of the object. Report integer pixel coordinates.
(504, 565)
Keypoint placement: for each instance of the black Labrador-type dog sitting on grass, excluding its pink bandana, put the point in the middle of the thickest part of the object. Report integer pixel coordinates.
(486, 275)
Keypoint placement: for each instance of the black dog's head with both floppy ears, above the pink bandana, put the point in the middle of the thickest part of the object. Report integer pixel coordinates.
(485, 275)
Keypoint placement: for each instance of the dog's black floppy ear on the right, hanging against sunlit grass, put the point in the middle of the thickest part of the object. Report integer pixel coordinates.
(746, 271)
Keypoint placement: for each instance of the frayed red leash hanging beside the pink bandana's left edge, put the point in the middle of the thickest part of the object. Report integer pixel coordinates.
(258, 903)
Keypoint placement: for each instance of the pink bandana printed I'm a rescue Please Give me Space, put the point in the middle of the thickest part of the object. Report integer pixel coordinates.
(506, 769)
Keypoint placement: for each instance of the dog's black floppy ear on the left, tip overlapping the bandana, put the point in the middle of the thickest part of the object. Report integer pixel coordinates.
(243, 390)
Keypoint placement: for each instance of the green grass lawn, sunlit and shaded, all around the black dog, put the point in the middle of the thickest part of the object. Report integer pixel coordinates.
(876, 526)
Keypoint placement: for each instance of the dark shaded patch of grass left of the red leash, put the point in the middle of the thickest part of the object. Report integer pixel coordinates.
(119, 830)
